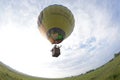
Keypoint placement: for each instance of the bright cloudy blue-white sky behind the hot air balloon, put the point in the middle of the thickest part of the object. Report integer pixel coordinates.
(93, 42)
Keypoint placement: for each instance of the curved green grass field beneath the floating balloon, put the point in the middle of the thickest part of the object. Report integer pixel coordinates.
(109, 71)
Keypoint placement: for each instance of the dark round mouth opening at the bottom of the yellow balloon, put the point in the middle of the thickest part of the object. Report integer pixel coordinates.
(55, 35)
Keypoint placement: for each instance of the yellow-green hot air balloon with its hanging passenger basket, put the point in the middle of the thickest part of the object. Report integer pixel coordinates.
(56, 23)
